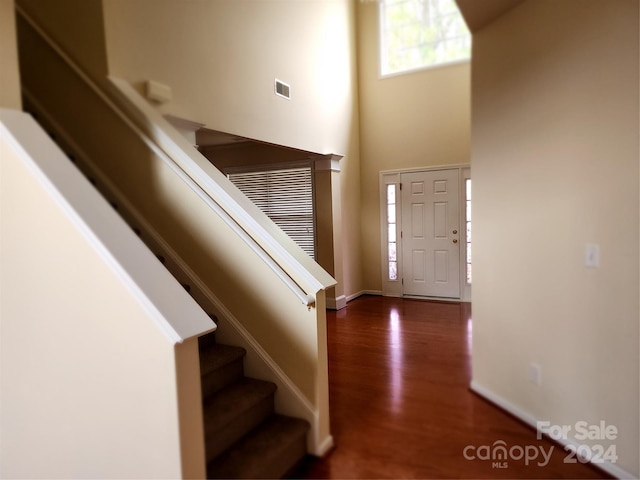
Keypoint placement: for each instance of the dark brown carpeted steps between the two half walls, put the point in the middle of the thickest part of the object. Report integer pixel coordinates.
(244, 438)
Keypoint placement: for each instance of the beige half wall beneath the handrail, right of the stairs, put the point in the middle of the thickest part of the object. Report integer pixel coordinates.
(246, 286)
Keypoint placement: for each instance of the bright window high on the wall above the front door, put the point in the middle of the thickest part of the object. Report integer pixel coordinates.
(416, 34)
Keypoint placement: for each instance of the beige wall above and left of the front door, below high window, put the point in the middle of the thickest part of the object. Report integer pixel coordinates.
(420, 119)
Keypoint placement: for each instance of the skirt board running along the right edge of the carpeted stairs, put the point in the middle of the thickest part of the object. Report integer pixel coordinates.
(289, 400)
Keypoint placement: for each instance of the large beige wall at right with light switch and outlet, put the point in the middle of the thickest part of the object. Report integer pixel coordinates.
(555, 167)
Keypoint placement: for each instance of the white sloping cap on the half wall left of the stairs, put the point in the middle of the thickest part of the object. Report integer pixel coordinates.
(83, 206)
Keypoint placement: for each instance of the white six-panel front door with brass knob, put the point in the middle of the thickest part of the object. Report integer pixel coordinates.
(431, 233)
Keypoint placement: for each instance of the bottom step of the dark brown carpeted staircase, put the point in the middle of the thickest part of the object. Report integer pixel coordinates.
(269, 451)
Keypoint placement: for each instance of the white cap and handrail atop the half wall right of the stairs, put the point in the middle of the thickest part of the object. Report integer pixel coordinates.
(295, 269)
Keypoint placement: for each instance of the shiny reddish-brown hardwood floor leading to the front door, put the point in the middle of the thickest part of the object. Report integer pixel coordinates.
(399, 374)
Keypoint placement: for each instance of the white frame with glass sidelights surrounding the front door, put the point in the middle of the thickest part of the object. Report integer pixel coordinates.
(393, 287)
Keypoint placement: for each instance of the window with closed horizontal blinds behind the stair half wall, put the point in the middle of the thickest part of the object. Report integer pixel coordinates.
(286, 197)
